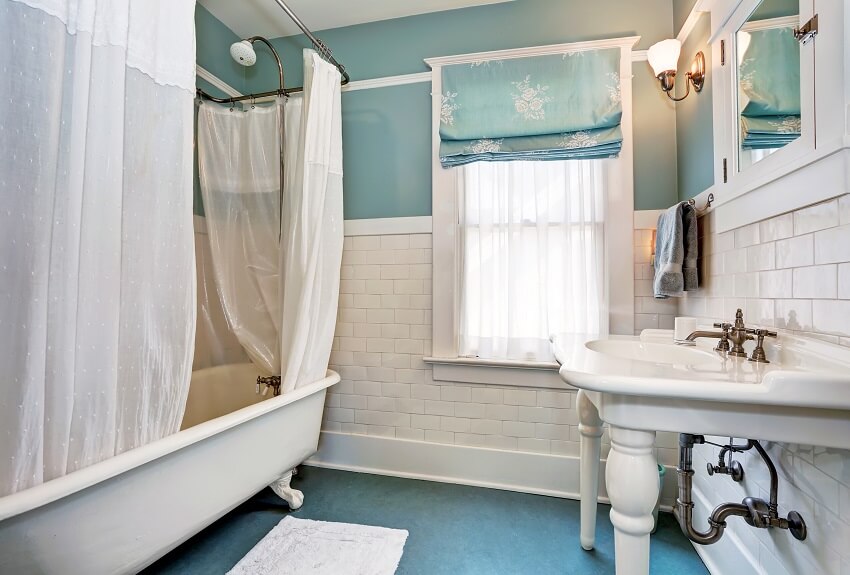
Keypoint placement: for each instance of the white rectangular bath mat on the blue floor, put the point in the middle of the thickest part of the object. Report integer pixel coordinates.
(302, 546)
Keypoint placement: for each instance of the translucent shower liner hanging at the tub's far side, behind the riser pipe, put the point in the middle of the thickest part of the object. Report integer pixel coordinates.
(239, 170)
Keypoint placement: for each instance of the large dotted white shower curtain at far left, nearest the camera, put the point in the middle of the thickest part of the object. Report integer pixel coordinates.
(96, 250)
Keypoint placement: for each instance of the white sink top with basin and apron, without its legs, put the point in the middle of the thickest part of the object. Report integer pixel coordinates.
(801, 396)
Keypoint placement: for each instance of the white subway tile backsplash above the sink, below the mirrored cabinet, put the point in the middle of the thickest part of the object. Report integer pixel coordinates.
(791, 272)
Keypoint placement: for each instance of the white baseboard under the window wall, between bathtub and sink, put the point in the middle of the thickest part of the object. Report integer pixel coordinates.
(540, 474)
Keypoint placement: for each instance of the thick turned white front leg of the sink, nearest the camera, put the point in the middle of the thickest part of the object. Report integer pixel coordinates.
(631, 477)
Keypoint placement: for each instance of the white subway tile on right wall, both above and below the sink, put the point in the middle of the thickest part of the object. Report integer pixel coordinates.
(791, 273)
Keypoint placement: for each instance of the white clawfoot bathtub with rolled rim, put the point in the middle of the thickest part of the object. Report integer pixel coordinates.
(120, 515)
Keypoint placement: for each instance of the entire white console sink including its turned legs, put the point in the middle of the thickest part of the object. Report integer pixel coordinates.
(640, 385)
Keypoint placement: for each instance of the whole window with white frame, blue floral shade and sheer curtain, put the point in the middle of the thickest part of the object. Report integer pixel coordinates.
(526, 248)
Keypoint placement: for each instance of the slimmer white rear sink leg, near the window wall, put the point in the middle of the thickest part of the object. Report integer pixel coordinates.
(590, 427)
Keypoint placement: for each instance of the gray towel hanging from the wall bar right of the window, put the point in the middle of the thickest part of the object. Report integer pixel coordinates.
(676, 252)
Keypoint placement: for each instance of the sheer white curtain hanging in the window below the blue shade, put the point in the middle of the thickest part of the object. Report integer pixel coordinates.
(533, 250)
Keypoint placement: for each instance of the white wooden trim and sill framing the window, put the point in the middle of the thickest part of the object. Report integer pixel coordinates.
(619, 272)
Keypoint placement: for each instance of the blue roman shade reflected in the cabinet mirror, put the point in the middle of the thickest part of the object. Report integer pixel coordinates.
(769, 79)
